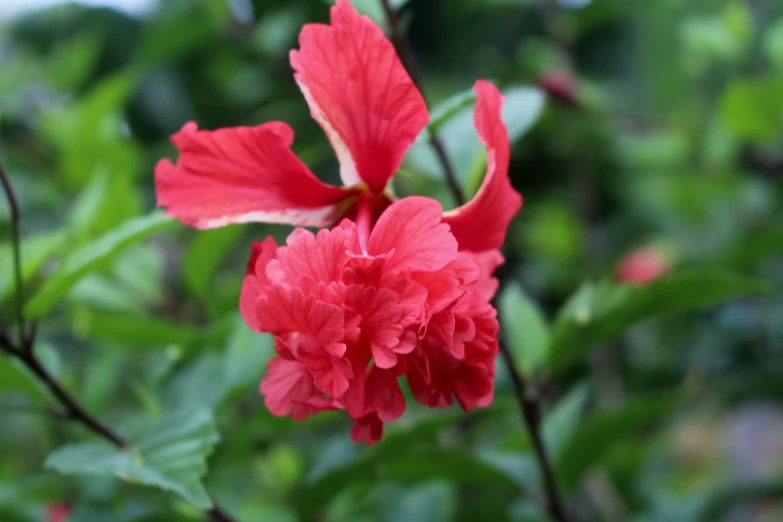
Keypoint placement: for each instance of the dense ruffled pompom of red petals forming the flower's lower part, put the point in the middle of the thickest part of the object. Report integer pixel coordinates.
(351, 313)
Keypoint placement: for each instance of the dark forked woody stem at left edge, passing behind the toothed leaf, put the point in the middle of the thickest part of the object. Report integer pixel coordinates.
(24, 351)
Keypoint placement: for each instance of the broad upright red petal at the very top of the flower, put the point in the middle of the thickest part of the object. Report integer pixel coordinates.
(360, 93)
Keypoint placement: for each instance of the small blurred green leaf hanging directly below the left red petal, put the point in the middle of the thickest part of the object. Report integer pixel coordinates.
(204, 256)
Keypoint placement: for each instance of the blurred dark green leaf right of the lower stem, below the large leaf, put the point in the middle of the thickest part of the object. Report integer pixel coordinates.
(593, 439)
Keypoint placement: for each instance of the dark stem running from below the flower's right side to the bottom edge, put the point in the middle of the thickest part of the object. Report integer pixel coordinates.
(531, 414)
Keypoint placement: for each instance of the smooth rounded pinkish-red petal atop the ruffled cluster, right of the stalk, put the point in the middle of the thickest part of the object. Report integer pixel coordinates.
(412, 236)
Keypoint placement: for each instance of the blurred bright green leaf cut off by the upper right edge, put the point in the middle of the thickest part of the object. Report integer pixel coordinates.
(752, 108)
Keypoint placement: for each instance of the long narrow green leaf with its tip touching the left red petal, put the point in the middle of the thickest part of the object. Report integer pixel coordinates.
(92, 256)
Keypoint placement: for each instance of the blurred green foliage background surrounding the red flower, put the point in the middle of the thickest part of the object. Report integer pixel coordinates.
(635, 125)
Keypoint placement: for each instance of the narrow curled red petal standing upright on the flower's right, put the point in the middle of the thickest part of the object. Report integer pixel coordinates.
(481, 223)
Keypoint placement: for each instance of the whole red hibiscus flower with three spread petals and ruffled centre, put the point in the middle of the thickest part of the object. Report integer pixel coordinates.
(395, 287)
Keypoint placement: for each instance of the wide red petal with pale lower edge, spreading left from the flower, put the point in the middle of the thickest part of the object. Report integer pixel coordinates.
(241, 175)
